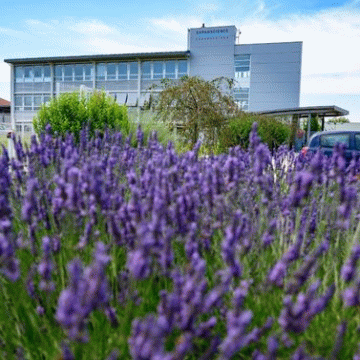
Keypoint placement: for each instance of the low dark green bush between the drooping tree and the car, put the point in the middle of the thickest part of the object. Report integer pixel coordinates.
(272, 131)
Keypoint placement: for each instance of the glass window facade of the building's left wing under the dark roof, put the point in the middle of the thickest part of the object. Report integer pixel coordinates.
(32, 82)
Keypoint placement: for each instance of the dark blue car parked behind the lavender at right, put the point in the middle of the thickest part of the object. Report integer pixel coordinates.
(326, 140)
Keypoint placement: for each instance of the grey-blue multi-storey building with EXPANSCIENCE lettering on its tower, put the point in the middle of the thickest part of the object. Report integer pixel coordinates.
(266, 76)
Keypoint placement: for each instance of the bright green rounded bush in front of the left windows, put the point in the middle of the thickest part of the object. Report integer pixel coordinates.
(71, 112)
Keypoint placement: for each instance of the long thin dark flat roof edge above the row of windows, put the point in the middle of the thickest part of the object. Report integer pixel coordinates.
(108, 57)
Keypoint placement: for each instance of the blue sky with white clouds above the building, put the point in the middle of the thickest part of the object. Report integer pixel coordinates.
(330, 31)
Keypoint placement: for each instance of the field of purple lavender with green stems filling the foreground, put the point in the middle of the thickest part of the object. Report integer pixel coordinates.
(114, 252)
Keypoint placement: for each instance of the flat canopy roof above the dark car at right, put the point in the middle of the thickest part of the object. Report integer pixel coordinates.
(323, 111)
